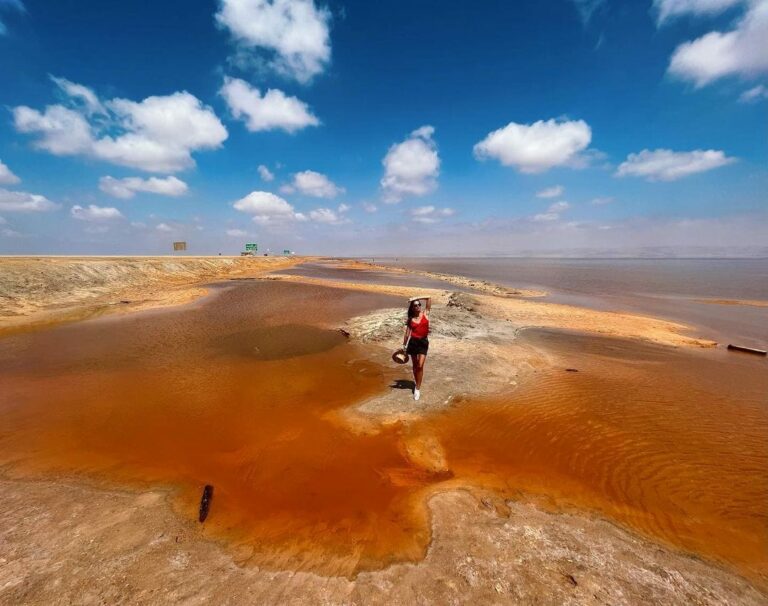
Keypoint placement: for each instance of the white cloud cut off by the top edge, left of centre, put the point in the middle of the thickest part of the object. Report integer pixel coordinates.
(293, 33)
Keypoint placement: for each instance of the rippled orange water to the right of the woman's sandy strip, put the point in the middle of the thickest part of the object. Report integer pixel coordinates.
(672, 445)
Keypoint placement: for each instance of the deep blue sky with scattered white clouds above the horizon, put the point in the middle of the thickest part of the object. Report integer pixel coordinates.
(390, 127)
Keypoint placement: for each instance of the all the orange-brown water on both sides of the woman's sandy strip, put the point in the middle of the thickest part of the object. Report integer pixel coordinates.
(238, 391)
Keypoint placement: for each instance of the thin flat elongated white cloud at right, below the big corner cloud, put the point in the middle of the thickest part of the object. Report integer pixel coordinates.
(668, 165)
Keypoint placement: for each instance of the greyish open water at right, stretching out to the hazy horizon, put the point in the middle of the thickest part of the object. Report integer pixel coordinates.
(669, 288)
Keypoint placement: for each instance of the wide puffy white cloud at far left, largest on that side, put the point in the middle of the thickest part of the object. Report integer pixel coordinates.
(157, 134)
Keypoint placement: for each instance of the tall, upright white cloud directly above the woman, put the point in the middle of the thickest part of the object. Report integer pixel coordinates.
(411, 167)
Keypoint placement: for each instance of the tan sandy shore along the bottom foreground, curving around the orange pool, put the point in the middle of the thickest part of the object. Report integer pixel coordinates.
(67, 544)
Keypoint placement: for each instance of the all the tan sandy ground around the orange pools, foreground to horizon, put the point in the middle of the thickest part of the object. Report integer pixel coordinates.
(67, 542)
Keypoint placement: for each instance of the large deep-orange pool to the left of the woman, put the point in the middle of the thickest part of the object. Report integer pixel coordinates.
(234, 392)
